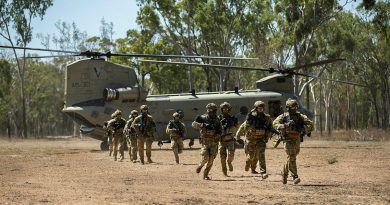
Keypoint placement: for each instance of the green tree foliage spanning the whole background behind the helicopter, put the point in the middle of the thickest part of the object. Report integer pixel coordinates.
(278, 33)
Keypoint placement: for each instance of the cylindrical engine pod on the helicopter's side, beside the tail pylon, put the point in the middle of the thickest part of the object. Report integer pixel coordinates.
(129, 94)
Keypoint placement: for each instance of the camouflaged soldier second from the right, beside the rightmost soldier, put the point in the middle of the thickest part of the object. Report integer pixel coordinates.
(256, 129)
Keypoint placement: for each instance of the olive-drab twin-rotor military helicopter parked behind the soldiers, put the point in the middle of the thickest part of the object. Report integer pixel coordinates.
(95, 88)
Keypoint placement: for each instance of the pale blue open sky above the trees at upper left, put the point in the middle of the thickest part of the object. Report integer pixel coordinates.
(87, 15)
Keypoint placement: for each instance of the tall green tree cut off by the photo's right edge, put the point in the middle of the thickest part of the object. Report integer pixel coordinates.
(373, 55)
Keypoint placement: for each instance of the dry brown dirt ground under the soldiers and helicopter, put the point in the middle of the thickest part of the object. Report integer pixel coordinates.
(75, 171)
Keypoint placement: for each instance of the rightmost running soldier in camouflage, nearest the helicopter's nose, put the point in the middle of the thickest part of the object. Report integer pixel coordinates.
(293, 125)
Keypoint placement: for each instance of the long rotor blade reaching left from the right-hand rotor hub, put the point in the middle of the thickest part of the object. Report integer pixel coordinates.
(210, 65)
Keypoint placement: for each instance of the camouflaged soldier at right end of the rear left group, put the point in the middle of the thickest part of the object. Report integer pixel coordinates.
(145, 129)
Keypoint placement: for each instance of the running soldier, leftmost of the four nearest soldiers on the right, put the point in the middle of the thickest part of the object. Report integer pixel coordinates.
(210, 132)
